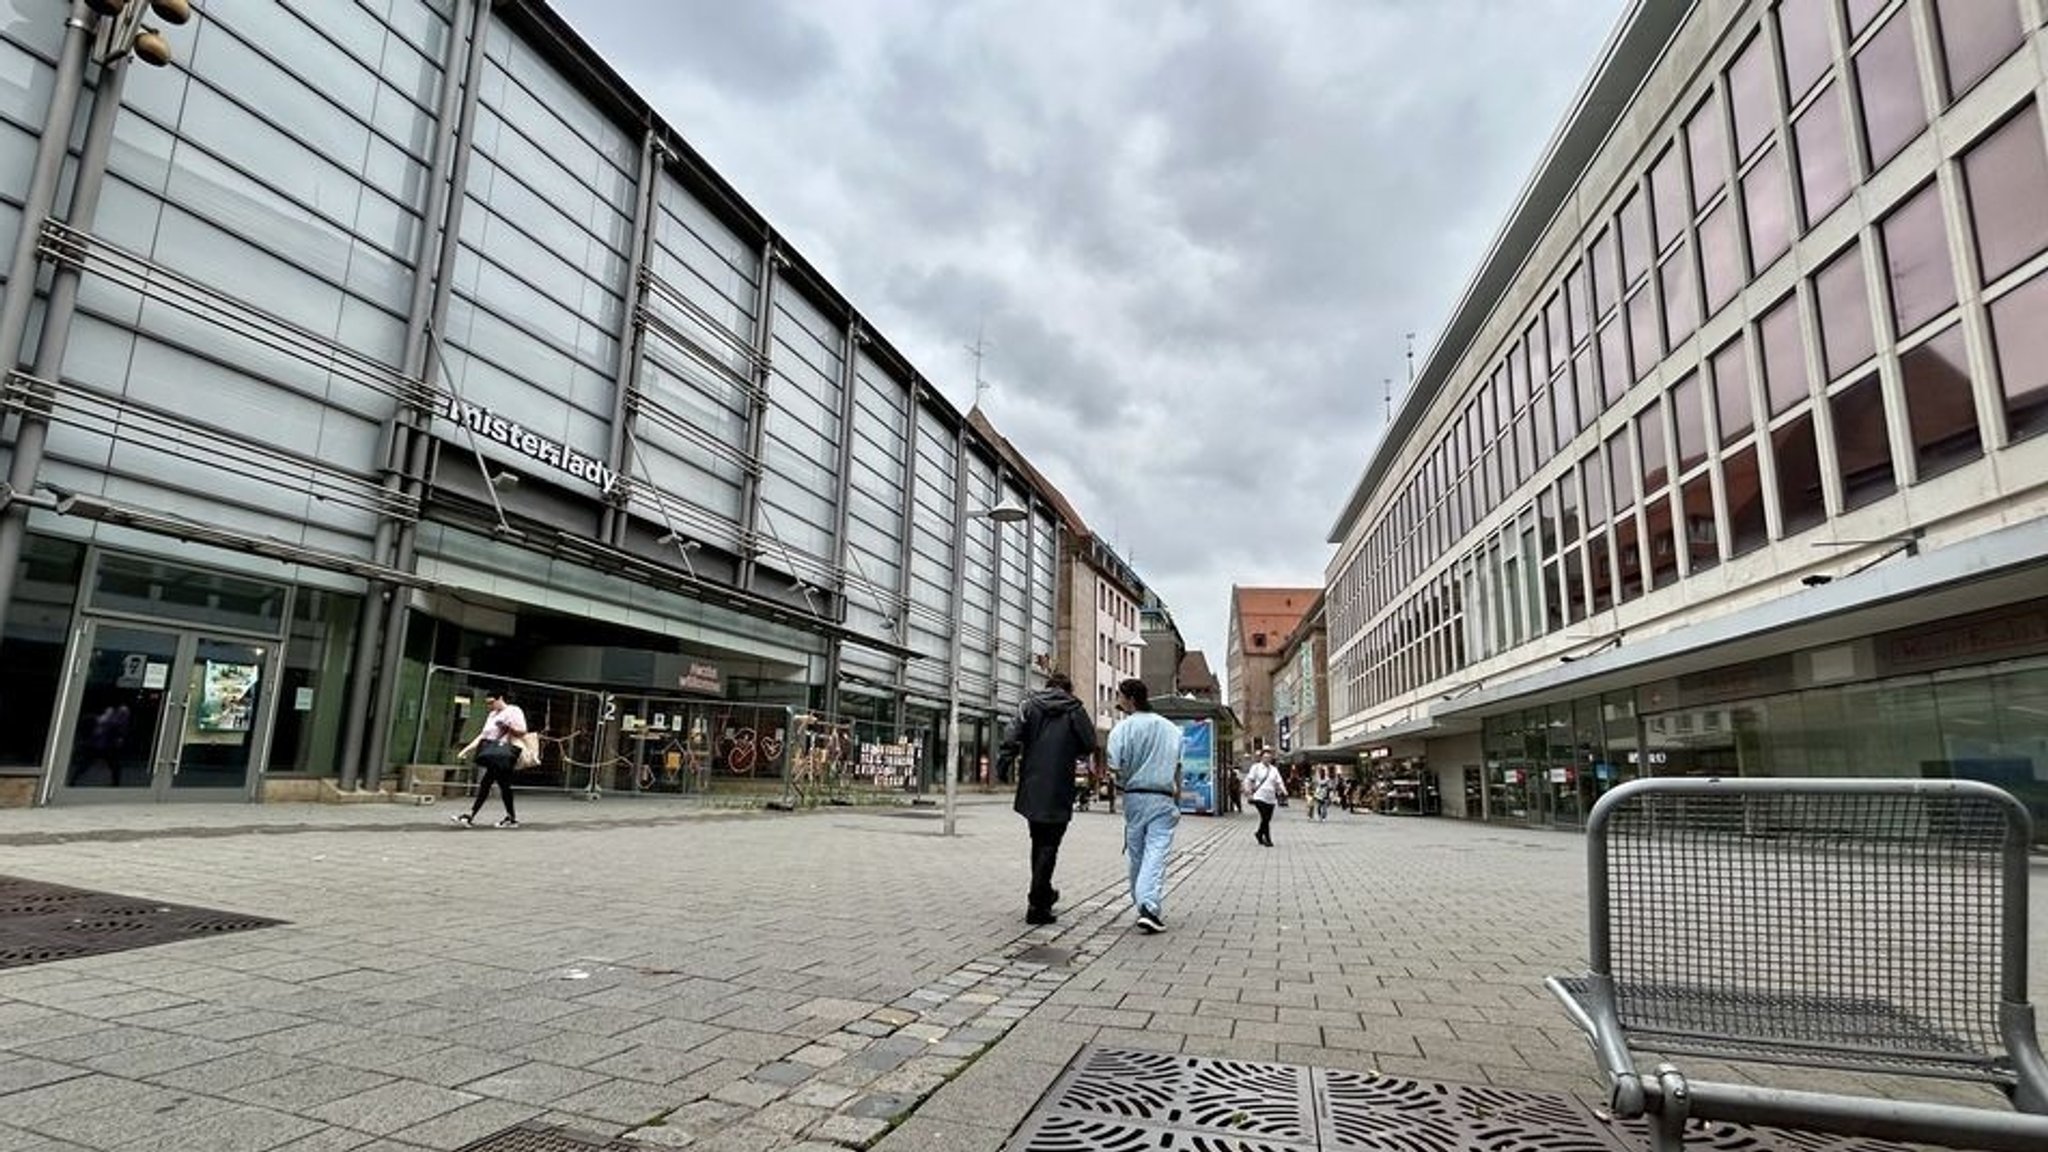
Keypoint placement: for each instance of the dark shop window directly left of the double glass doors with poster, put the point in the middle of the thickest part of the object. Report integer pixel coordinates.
(32, 651)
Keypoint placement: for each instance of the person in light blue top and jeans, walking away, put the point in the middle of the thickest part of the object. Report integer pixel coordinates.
(1146, 757)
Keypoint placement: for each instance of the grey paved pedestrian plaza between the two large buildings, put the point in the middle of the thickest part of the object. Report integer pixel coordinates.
(753, 981)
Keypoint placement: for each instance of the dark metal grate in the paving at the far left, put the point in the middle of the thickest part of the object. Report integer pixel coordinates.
(42, 923)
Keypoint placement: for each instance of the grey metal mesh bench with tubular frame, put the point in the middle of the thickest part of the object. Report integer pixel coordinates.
(1869, 925)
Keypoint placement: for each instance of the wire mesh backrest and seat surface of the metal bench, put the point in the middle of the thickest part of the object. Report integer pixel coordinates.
(1879, 913)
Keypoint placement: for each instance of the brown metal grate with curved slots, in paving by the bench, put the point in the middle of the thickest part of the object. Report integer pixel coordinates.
(1121, 1100)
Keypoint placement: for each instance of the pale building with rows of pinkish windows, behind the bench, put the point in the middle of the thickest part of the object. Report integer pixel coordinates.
(1738, 431)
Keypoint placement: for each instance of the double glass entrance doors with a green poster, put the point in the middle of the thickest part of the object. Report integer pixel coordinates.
(163, 714)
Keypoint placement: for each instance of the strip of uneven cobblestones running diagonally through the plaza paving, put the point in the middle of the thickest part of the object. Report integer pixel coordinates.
(855, 1085)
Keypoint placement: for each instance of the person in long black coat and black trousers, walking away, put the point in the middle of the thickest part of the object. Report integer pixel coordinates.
(1050, 733)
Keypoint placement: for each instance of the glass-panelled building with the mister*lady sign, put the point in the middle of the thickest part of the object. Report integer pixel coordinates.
(415, 349)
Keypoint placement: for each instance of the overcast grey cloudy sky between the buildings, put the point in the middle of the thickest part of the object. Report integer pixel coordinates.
(1193, 235)
